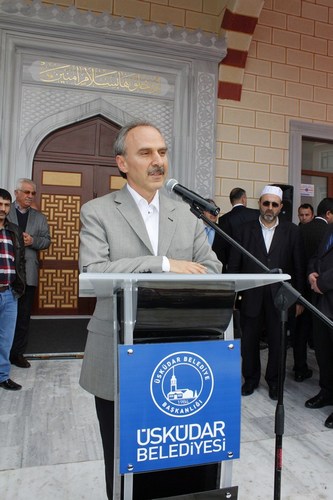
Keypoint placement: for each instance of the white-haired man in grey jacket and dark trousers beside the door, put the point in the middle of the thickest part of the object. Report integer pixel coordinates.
(36, 235)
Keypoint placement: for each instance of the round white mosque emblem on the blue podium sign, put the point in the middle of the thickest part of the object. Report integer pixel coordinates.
(181, 384)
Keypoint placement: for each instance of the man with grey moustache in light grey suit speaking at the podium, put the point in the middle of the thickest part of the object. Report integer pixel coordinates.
(137, 229)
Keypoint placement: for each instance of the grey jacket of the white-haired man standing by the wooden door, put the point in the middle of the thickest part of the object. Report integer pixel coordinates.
(38, 228)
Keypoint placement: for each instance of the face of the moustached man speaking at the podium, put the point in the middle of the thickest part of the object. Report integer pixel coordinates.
(145, 162)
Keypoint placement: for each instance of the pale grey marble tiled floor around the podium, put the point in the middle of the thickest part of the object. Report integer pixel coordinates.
(50, 446)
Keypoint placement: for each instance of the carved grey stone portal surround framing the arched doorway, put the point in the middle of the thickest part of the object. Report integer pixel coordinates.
(185, 62)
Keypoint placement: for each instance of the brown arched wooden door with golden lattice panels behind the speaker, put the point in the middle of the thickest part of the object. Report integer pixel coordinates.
(71, 166)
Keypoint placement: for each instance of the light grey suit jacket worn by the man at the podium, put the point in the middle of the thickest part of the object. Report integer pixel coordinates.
(114, 239)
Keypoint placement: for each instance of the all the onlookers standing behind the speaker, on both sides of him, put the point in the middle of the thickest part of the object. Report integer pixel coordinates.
(305, 252)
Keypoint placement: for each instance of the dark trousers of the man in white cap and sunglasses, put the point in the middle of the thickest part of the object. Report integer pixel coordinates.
(252, 327)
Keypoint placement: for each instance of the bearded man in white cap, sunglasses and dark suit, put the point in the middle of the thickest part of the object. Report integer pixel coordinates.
(277, 246)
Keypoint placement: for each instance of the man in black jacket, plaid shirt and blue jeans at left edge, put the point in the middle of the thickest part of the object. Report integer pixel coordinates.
(12, 284)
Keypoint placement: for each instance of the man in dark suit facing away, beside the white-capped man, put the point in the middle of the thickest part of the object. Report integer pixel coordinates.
(230, 221)
